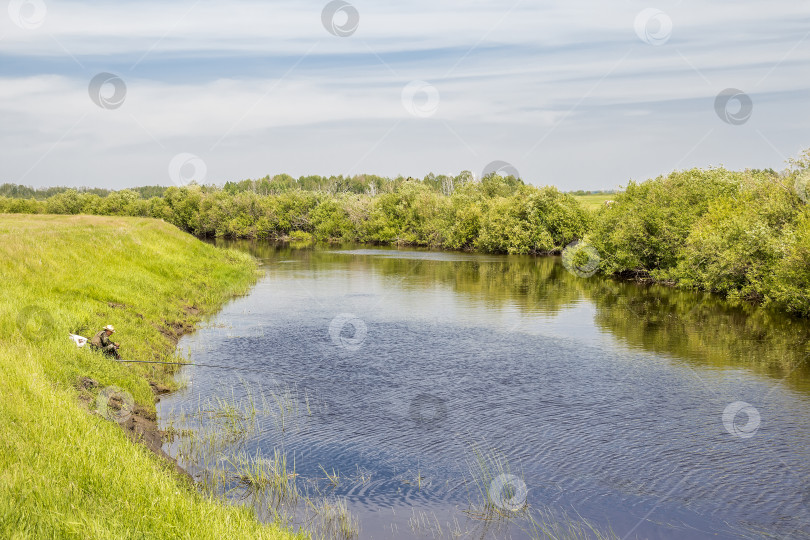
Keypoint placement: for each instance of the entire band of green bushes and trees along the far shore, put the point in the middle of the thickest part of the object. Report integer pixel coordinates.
(742, 234)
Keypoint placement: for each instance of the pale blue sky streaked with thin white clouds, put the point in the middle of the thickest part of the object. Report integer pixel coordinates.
(579, 94)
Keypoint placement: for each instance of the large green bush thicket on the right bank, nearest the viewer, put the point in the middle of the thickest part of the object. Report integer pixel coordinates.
(744, 235)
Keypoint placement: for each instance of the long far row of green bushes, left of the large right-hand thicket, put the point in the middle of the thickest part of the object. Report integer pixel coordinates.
(496, 214)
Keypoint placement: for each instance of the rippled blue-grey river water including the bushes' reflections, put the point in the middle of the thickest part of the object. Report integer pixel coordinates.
(425, 382)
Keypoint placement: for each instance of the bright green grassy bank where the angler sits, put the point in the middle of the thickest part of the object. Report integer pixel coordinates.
(66, 472)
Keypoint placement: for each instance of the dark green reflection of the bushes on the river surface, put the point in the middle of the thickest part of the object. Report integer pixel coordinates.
(694, 326)
